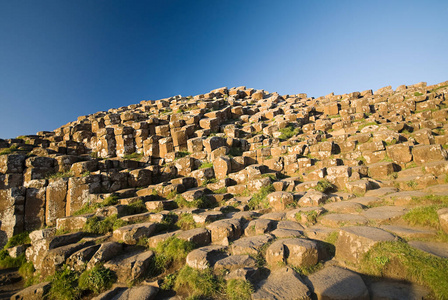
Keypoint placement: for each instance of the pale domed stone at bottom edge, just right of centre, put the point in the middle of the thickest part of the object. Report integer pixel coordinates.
(282, 284)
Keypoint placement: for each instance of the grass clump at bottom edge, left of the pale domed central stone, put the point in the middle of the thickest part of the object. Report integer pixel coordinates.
(197, 283)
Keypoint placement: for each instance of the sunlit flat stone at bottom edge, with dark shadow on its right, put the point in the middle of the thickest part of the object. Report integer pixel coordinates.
(338, 283)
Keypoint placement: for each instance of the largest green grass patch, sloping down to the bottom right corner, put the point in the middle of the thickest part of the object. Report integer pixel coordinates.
(387, 258)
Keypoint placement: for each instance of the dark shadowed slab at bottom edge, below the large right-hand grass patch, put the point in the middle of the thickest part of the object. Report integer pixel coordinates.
(397, 290)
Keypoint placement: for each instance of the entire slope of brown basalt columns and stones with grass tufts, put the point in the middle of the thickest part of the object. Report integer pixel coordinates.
(234, 194)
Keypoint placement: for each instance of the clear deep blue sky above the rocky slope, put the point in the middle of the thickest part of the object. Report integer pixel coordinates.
(60, 59)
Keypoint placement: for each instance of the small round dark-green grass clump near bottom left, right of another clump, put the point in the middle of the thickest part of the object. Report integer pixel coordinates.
(98, 279)
